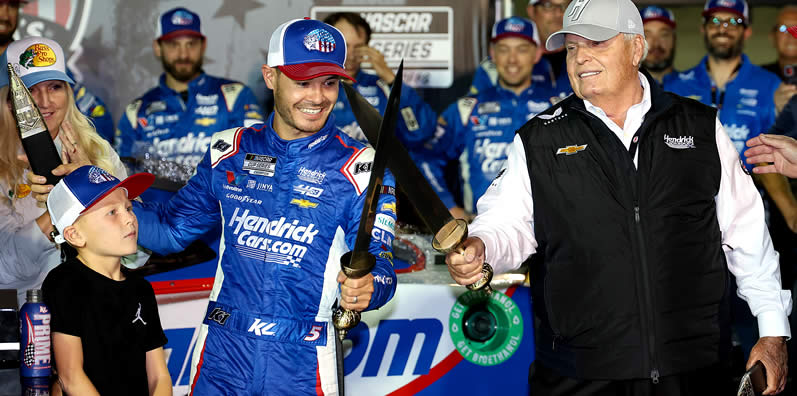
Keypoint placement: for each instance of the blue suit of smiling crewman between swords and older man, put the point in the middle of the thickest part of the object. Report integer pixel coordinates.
(478, 130)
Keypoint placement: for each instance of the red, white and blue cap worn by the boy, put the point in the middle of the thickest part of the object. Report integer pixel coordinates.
(83, 188)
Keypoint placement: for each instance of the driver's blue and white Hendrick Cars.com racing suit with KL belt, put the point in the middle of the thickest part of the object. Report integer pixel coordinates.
(289, 209)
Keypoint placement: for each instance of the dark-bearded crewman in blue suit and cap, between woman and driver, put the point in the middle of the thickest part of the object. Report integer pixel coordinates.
(175, 120)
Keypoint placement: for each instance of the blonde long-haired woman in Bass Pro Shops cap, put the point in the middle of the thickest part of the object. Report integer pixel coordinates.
(27, 252)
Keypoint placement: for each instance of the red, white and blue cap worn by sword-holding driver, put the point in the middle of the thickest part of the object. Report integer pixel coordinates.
(304, 49)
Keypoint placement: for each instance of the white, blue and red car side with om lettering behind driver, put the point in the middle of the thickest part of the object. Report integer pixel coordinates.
(407, 347)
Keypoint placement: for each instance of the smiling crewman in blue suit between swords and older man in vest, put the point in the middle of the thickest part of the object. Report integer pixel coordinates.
(479, 129)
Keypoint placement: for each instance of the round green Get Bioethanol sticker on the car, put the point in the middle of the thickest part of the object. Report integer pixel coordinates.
(486, 328)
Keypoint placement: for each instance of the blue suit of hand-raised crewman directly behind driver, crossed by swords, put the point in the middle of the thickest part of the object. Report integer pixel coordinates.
(416, 121)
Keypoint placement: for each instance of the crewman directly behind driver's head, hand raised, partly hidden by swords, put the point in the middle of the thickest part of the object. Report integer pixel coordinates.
(416, 123)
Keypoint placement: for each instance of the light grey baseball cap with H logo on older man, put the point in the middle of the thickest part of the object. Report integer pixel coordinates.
(597, 20)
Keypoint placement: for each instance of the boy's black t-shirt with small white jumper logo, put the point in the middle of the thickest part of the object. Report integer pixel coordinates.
(117, 322)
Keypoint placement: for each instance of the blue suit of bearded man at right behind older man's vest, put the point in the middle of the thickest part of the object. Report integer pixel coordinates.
(746, 108)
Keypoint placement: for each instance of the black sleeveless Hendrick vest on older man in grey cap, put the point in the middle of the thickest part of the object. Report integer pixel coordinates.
(630, 278)
